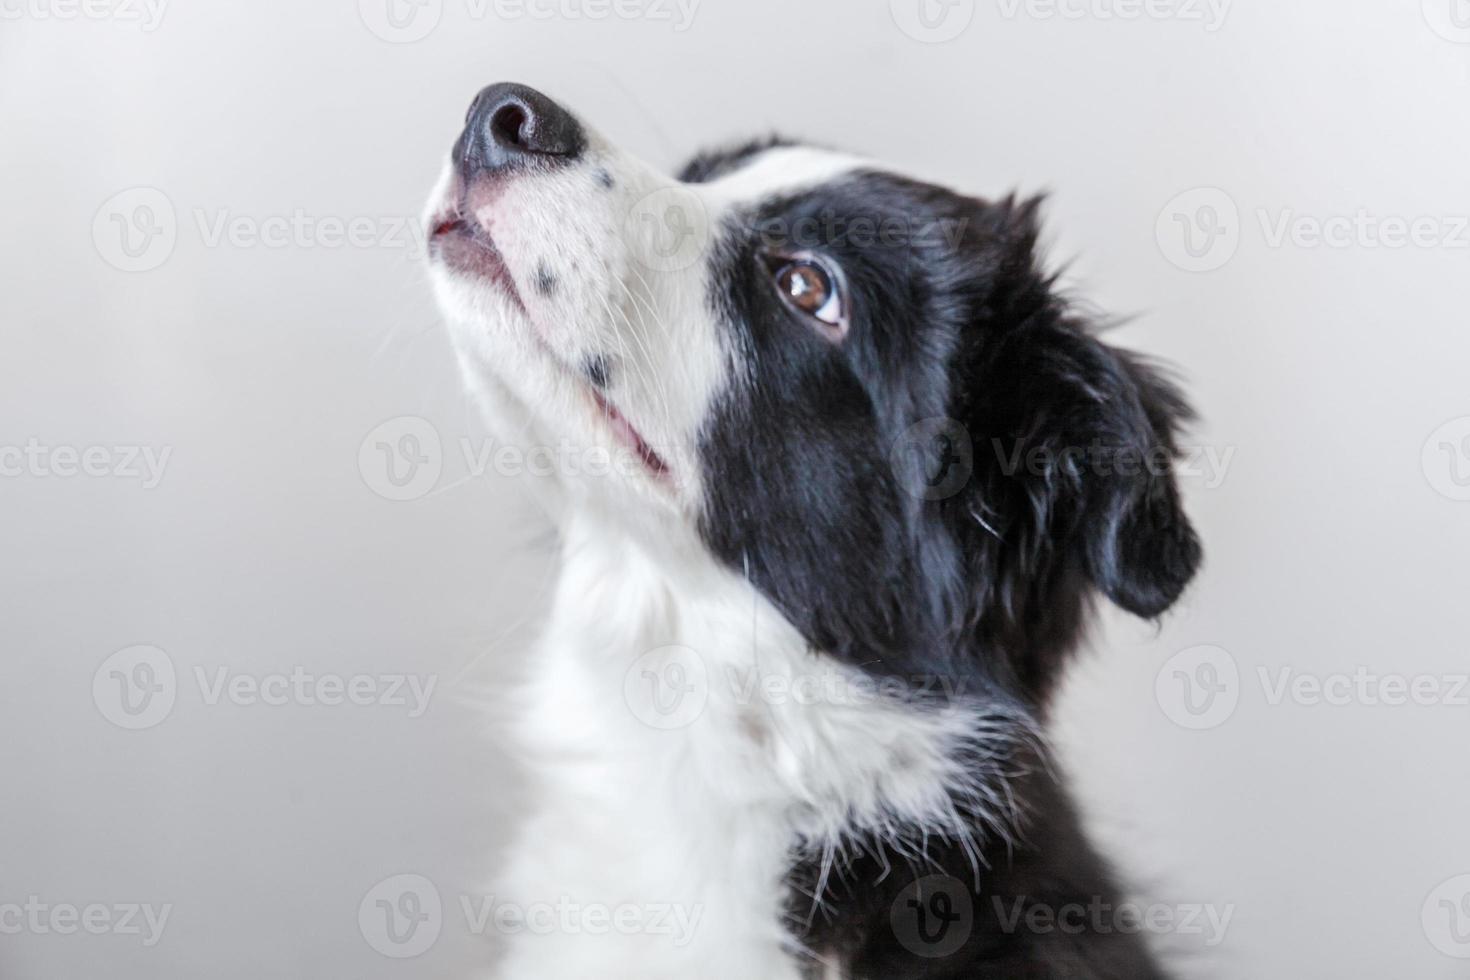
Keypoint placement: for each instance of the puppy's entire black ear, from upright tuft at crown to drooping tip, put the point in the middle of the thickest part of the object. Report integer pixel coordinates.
(1081, 437)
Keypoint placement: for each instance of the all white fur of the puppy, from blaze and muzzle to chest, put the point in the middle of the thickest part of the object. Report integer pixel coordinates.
(637, 806)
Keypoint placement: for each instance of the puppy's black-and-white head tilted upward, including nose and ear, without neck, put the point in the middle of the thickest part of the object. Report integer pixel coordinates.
(861, 392)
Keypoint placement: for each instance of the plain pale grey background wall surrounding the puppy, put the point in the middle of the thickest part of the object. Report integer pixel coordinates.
(1335, 537)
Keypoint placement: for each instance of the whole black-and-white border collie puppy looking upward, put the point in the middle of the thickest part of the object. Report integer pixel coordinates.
(840, 477)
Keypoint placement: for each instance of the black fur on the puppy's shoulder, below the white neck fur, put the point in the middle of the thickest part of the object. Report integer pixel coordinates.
(893, 915)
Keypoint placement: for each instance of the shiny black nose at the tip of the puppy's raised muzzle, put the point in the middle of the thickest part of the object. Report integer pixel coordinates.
(514, 126)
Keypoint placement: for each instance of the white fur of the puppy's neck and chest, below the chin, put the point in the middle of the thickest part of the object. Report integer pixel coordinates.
(683, 743)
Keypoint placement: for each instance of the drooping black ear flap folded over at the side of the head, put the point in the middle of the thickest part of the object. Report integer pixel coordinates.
(1090, 434)
